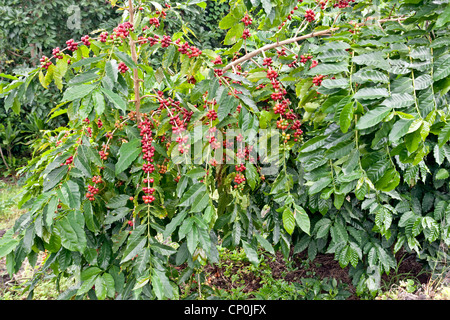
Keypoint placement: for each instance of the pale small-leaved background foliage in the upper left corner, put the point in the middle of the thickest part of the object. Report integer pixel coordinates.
(29, 29)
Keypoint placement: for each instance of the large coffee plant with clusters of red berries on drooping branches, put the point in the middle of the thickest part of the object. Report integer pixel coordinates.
(317, 126)
